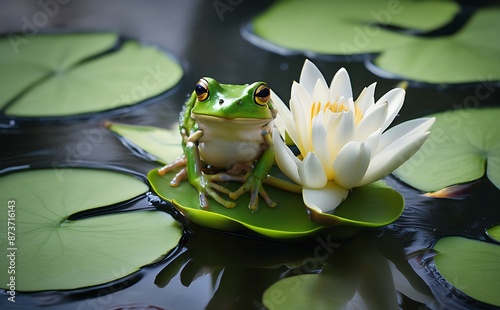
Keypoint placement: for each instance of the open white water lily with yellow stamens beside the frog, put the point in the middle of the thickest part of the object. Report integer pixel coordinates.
(343, 143)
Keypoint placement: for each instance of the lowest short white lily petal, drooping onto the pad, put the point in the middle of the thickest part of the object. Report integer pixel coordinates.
(326, 199)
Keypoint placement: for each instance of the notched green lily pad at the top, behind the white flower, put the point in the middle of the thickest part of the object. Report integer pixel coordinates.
(348, 27)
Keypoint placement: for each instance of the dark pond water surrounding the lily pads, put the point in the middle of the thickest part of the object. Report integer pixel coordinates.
(216, 270)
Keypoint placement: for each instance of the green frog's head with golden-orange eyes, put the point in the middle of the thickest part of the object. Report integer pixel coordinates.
(233, 101)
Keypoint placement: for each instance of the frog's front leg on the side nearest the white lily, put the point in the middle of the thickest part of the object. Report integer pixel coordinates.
(257, 176)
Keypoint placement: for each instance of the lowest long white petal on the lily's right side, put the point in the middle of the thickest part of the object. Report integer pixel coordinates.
(393, 156)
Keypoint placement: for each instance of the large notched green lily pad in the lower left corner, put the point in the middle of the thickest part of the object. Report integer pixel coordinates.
(54, 252)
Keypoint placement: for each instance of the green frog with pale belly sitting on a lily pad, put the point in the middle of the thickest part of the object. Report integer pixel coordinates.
(225, 131)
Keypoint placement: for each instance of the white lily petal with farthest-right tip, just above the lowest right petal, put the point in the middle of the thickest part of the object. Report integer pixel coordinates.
(402, 130)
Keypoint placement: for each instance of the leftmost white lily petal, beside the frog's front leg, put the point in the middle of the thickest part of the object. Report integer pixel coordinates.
(285, 159)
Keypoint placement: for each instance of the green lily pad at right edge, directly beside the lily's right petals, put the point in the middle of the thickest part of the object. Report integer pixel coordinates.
(461, 144)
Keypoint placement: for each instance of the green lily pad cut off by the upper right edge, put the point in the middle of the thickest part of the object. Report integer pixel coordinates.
(434, 60)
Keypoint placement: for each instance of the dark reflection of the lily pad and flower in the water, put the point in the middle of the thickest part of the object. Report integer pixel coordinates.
(251, 273)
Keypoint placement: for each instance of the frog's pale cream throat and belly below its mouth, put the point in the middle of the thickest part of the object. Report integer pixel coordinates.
(229, 141)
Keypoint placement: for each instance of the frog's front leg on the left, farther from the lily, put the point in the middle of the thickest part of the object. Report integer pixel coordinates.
(203, 184)
